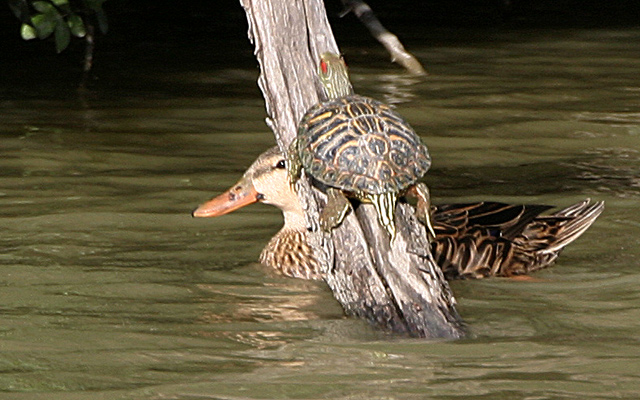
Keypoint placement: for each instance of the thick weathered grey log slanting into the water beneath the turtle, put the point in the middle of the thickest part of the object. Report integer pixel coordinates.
(396, 286)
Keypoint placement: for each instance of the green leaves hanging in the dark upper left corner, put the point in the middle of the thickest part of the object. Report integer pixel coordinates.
(62, 18)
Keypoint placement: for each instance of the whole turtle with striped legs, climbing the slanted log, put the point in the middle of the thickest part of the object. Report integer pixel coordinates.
(359, 147)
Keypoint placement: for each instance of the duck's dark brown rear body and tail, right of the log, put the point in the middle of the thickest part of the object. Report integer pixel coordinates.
(485, 239)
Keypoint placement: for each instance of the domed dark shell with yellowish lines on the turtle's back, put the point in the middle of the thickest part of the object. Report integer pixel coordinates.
(359, 144)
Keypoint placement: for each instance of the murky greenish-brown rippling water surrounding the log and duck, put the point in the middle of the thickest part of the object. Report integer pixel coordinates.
(110, 290)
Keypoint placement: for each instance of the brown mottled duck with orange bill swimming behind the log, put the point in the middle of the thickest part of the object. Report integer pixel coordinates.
(472, 240)
